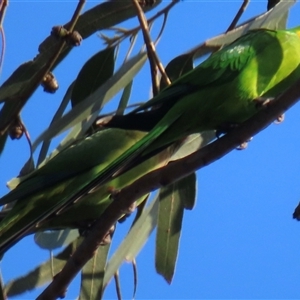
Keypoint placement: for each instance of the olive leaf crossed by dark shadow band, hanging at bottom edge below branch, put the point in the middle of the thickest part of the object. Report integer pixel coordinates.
(92, 275)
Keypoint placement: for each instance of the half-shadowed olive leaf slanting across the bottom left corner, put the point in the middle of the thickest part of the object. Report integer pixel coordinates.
(41, 274)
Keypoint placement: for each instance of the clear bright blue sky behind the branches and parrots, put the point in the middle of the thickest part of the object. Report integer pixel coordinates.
(240, 241)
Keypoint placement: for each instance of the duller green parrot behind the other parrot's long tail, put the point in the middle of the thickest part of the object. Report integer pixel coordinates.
(67, 172)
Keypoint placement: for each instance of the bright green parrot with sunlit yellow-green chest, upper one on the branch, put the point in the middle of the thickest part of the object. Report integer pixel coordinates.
(227, 88)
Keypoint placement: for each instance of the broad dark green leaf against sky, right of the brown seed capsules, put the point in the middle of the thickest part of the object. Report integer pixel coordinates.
(96, 71)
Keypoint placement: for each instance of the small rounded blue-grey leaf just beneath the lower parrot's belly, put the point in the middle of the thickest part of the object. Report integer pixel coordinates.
(51, 240)
